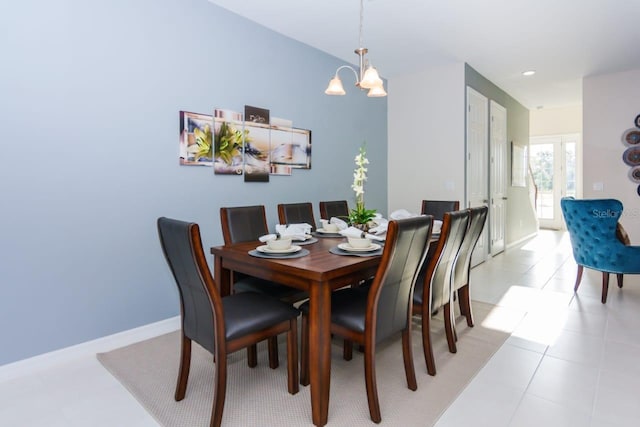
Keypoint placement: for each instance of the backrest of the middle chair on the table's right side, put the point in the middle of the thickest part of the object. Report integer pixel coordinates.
(437, 278)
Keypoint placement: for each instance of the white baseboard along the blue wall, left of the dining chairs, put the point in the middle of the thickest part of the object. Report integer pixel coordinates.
(99, 345)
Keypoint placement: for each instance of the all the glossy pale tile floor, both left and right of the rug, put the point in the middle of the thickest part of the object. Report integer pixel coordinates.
(571, 361)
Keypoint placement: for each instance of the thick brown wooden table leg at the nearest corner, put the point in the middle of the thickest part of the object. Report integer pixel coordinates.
(320, 351)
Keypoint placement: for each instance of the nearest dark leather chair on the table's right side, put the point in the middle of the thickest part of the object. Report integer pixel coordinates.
(368, 315)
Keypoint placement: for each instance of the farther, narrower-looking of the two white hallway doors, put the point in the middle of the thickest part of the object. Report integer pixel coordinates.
(498, 173)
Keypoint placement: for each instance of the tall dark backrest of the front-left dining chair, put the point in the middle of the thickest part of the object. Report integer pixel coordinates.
(200, 302)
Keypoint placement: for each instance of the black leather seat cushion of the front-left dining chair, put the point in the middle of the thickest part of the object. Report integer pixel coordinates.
(249, 312)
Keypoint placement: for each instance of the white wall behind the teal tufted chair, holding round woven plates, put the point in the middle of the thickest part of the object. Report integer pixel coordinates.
(610, 104)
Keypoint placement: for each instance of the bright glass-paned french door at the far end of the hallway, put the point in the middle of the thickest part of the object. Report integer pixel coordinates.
(553, 161)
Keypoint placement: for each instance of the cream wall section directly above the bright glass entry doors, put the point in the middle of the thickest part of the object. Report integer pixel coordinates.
(556, 121)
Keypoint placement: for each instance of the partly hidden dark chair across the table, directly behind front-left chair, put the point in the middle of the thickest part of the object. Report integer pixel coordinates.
(245, 224)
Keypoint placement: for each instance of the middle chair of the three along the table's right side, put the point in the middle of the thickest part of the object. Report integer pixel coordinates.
(434, 284)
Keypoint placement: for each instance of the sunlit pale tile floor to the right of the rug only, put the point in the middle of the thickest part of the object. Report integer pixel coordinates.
(572, 361)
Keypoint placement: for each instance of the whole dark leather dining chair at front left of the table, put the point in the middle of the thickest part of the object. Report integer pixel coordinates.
(221, 325)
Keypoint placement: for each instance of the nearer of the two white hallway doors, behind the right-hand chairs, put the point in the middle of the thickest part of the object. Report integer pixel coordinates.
(477, 164)
